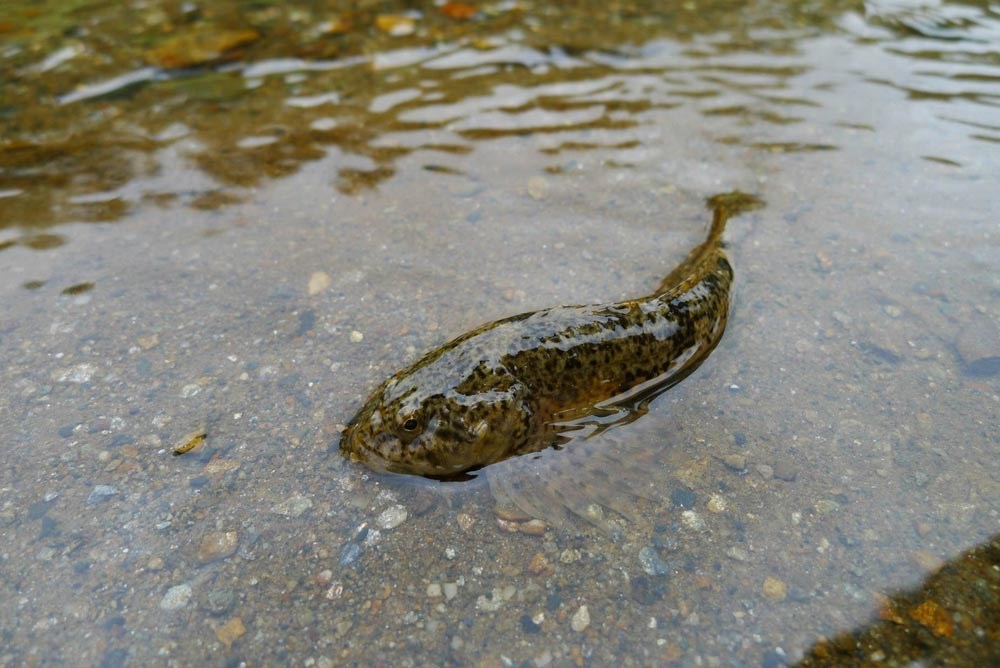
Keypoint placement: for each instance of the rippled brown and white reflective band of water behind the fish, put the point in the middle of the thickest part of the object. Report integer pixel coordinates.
(88, 133)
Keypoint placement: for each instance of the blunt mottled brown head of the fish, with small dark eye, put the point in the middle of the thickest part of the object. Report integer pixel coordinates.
(438, 434)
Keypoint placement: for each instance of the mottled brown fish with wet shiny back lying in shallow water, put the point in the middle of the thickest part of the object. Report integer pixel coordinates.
(531, 381)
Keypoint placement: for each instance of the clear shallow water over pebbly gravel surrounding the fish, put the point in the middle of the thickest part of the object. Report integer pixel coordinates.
(250, 243)
